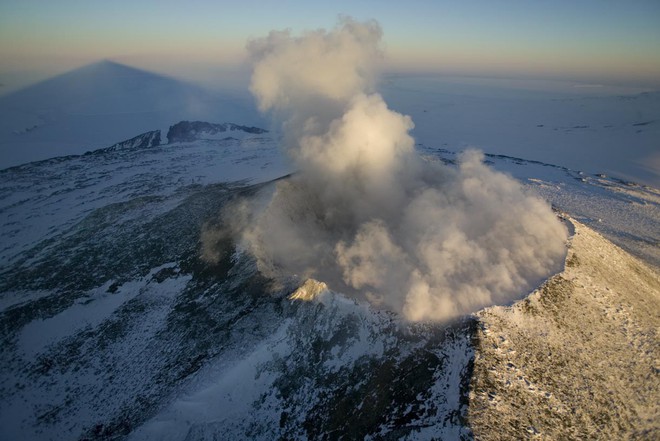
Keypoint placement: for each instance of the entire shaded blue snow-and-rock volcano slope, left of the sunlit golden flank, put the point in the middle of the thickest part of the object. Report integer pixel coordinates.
(108, 314)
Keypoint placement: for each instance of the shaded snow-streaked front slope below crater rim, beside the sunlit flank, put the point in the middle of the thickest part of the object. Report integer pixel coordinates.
(331, 367)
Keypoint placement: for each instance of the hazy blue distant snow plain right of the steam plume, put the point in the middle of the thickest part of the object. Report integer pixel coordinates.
(597, 129)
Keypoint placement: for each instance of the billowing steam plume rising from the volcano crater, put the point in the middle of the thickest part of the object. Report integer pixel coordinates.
(365, 213)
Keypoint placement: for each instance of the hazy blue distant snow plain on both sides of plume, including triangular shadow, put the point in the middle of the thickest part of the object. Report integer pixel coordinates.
(588, 127)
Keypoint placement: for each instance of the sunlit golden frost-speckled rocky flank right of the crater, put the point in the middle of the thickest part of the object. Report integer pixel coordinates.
(578, 358)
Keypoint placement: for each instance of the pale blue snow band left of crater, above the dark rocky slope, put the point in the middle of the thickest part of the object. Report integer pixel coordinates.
(43, 199)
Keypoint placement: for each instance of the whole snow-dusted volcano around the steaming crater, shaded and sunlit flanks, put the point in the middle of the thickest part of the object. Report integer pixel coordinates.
(113, 327)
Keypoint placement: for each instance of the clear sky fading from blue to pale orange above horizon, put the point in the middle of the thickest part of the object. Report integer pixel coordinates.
(587, 40)
